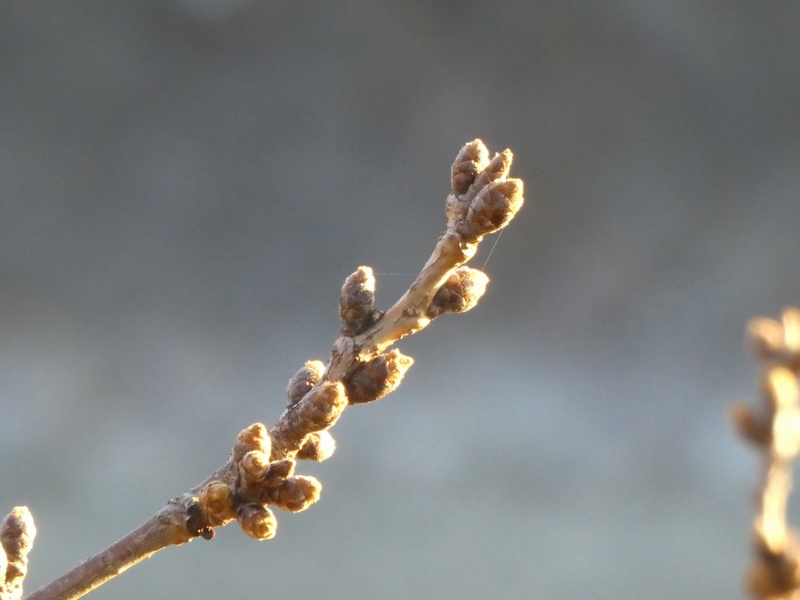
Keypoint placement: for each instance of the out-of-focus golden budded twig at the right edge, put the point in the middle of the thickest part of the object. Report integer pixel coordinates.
(774, 429)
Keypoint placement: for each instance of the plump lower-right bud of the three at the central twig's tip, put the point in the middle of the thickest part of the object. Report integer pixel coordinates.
(492, 209)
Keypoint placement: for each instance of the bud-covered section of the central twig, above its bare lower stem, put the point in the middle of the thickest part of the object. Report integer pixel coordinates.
(261, 472)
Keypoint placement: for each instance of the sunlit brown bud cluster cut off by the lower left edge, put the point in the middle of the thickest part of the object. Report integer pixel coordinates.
(17, 532)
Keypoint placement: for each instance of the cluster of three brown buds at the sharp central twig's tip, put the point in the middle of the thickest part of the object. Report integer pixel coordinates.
(484, 199)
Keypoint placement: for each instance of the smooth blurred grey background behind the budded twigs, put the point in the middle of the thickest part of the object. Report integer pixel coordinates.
(184, 185)
